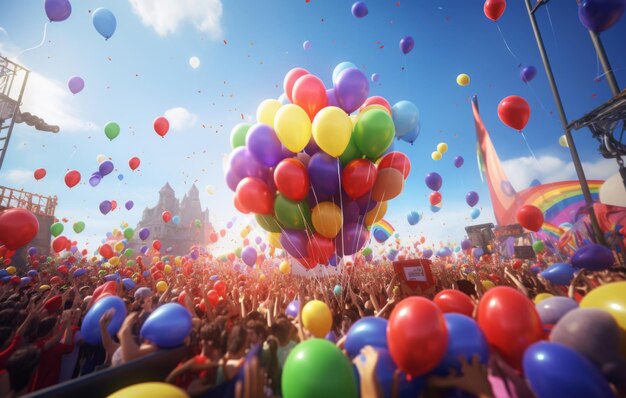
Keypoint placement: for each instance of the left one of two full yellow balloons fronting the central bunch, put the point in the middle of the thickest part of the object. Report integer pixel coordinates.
(293, 127)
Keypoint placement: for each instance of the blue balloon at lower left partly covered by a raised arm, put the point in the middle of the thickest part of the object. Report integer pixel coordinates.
(90, 328)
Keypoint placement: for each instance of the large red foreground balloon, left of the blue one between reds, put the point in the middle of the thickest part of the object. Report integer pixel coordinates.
(417, 323)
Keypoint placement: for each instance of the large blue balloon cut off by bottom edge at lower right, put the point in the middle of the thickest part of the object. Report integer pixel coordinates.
(554, 370)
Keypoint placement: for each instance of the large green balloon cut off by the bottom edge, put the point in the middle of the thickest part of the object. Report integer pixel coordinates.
(316, 368)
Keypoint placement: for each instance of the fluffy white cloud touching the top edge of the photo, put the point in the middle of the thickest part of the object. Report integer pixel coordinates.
(166, 16)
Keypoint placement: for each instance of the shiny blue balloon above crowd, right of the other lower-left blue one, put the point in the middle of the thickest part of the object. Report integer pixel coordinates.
(168, 326)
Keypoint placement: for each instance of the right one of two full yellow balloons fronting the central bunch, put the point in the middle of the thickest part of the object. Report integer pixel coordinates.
(332, 128)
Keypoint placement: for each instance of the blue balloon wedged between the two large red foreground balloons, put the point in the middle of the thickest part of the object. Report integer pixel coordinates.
(465, 339)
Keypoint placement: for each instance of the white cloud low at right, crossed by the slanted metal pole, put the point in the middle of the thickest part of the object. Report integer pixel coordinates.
(521, 171)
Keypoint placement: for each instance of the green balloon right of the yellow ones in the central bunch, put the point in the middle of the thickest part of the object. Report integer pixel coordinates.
(374, 133)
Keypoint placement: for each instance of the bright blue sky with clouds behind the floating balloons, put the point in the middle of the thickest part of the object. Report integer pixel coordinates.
(245, 49)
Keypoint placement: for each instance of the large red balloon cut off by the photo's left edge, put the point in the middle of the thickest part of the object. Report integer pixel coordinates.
(17, 228)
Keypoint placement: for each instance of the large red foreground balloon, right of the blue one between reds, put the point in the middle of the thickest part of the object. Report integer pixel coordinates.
(510, 322)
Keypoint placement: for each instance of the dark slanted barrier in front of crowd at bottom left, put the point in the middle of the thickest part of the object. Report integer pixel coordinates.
(153, 367)
